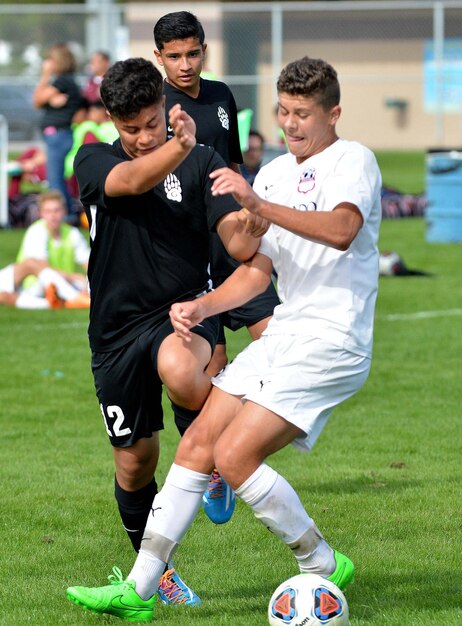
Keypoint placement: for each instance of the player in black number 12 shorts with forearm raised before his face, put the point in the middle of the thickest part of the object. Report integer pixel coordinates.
(150, 210)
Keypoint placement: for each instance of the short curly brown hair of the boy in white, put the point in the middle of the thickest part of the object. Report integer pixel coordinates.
(312, 78)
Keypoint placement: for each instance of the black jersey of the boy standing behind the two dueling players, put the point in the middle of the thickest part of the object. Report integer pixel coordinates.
(215, 114)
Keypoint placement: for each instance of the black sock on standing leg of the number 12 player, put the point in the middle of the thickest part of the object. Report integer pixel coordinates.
(134, 508)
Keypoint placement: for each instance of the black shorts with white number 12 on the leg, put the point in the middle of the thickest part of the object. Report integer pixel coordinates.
(128, 386)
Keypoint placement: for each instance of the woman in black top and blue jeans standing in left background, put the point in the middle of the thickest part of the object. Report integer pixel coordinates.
(58, 95)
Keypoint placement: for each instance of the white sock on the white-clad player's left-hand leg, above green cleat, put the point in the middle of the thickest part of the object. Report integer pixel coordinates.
(173, 511)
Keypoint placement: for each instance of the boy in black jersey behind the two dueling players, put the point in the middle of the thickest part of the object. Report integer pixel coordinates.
(181, 47)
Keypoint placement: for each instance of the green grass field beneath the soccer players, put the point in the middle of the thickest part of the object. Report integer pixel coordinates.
(383, 482)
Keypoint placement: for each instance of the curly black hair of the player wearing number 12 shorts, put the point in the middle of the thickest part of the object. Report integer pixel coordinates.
(129, 86)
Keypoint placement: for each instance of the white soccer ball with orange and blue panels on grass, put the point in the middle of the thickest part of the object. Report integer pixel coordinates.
(308, 600)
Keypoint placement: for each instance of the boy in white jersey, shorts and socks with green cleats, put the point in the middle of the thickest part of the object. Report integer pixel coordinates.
(323, 203)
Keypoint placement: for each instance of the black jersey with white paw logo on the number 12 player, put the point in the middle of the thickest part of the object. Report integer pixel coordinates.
(150, 250)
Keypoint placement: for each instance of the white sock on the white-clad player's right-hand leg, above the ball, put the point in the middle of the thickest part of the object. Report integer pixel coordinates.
(276, 504)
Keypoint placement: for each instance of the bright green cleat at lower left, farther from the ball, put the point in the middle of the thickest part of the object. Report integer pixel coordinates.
(119, 599)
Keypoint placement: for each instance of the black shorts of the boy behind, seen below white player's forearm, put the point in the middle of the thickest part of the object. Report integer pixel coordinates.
(254, 311)
